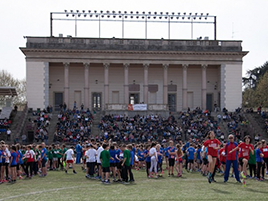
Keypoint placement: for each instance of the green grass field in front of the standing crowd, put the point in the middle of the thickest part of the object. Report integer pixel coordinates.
(192, 186)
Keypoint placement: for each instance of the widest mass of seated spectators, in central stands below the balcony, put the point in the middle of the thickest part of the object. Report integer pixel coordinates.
(191, 124)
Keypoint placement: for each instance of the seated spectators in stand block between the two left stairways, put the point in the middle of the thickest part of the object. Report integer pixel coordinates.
(73, 125)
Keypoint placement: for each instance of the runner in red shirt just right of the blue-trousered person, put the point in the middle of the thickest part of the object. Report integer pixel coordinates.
(245, 148)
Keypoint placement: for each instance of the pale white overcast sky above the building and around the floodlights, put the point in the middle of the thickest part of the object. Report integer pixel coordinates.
(244, 20)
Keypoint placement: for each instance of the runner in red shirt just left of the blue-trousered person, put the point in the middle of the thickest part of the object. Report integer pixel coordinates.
(213, 145)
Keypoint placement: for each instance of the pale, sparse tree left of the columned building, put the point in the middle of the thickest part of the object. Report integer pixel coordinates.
(7, 80)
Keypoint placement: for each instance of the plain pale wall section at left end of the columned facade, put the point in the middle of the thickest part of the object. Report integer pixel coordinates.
(35, 86)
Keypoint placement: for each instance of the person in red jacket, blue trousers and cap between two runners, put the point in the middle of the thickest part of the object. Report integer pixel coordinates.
(231, 158)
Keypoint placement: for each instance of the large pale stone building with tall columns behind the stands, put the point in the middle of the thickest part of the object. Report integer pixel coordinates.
(110, 73)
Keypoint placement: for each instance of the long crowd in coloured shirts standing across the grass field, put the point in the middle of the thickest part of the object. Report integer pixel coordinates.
(109, 160)
